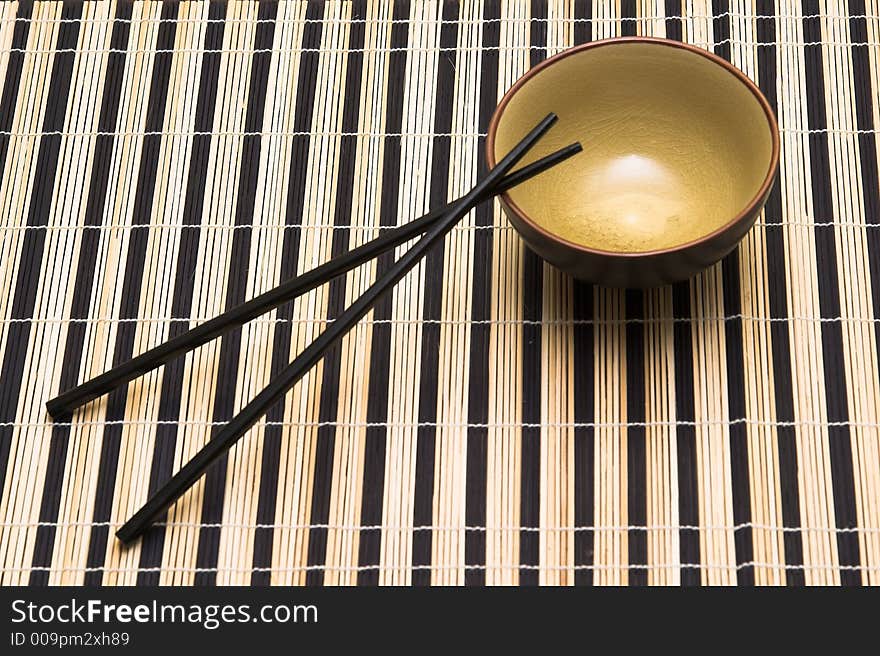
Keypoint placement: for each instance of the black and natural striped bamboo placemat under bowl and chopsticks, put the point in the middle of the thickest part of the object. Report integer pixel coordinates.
(493, 422)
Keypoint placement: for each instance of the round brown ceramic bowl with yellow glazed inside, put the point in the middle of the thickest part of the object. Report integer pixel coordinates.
(680, 152)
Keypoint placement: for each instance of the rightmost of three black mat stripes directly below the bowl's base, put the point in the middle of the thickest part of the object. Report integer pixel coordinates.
(686, 437)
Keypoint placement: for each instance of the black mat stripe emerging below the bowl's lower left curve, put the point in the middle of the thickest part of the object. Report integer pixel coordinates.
(532, 305)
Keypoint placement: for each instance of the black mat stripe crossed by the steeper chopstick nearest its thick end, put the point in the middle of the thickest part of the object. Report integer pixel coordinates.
(171, 392)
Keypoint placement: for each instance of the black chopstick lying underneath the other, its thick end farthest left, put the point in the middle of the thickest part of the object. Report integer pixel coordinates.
(64, 404)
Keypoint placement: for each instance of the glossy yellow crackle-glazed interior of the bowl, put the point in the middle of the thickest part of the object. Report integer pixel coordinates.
(675, 146)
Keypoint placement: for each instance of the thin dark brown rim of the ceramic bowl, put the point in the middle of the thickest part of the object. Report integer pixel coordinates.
(742, 77)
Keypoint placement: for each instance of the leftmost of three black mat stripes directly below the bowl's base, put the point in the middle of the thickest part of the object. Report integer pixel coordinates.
(583, 312)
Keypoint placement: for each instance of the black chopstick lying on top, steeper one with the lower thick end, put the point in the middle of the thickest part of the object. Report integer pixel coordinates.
(251, 413)
